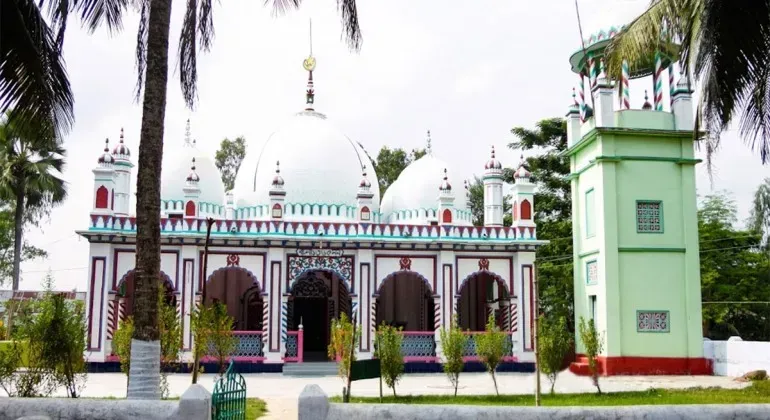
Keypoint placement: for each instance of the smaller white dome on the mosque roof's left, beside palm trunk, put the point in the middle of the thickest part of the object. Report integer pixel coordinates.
(174, 179)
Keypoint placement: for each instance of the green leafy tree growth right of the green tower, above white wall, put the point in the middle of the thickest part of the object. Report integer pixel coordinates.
(733, 269)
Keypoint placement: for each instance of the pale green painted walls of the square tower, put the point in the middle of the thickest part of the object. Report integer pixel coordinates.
(637, 271)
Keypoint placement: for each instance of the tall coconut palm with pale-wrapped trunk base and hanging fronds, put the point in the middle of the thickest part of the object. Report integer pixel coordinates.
(152, 65)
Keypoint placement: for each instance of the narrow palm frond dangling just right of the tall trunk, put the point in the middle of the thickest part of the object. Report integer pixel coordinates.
(188, 67)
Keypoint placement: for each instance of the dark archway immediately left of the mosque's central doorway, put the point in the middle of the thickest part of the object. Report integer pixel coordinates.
(239, 290)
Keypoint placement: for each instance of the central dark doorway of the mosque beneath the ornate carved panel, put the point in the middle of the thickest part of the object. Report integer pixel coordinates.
(317, 297)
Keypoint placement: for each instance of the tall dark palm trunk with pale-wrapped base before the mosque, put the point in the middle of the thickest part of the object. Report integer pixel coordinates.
(144, 373)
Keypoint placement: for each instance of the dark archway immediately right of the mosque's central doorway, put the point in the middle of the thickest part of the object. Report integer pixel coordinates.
(405, 300)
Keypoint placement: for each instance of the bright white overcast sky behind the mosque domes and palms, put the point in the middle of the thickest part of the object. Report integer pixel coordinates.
(468, 71)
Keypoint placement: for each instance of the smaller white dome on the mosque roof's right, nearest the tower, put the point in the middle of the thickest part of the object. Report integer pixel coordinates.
(417, 189)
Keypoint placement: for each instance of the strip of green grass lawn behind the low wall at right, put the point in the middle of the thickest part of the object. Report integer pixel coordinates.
(756, 393)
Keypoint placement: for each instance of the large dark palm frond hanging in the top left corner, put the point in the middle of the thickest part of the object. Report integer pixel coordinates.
(33, 80)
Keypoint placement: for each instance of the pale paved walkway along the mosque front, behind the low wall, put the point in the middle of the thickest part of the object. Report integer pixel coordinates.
(281, 392)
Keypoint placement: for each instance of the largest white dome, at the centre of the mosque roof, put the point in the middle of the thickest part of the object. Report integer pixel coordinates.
(318, 163)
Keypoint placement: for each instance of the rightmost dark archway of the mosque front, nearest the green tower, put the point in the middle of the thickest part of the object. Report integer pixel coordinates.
(482, 294)
